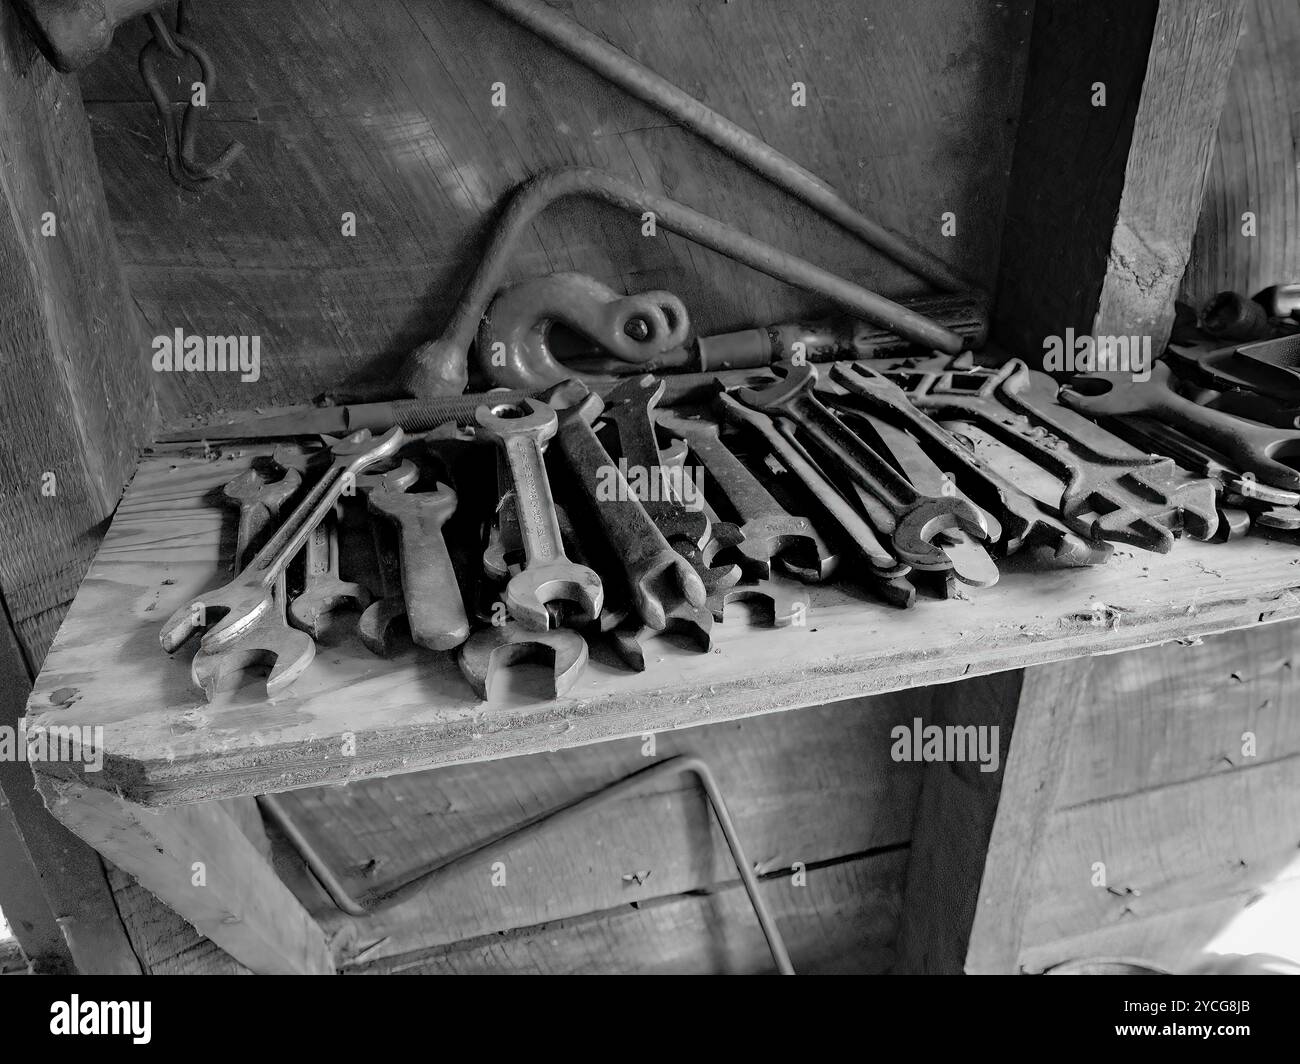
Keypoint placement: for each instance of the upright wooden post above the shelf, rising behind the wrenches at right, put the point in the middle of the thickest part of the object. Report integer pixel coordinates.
(1139, 165)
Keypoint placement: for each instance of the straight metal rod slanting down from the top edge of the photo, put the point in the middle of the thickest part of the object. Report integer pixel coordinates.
(640, 81)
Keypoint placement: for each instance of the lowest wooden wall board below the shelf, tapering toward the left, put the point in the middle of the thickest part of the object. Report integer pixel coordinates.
(840, 923)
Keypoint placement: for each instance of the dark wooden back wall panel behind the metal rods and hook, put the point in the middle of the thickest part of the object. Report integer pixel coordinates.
(384, 110)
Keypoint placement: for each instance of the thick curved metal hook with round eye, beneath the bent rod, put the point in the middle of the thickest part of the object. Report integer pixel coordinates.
(514, 338)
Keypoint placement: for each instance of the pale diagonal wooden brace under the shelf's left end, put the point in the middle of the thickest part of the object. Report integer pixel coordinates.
(200, 863)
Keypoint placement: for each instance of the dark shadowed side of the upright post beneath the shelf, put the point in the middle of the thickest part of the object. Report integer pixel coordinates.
(955, 819)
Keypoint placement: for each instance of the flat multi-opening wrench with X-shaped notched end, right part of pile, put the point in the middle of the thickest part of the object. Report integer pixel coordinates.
(1111, 491)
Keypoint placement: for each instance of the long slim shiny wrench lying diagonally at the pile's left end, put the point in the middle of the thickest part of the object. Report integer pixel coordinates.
(248, 596)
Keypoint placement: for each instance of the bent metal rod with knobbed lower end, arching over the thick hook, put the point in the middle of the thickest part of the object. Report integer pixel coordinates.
(439, 367)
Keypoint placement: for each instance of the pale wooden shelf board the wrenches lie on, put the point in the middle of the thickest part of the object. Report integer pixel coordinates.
(166, 745)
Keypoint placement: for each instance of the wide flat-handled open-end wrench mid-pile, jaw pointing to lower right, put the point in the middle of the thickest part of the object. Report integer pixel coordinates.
(766, 527)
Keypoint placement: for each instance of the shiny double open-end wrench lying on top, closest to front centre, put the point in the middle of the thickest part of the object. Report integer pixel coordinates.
(548, 577)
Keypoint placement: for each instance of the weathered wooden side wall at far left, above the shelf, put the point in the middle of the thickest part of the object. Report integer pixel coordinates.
(75, 395)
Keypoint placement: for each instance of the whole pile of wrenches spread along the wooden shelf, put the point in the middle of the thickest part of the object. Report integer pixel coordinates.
(574, 520)
